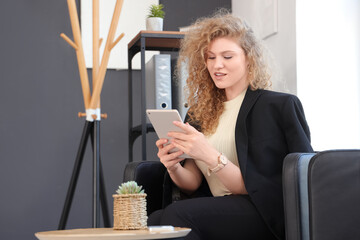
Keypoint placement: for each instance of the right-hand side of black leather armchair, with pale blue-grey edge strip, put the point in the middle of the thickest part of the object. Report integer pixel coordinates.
(322, 195)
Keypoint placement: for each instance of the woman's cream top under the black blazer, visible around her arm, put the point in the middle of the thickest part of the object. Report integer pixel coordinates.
(224, 141)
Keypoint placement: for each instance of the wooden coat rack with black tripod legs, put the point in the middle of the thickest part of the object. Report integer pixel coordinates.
(92, 108)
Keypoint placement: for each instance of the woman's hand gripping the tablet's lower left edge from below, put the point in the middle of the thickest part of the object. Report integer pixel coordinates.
(170, 160)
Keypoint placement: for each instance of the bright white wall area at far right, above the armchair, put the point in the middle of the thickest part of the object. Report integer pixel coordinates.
(328, 60)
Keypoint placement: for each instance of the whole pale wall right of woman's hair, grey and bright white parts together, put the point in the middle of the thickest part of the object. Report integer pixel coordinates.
(317, 49)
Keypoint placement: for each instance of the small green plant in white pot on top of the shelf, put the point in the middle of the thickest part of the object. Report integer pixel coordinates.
(155, 18)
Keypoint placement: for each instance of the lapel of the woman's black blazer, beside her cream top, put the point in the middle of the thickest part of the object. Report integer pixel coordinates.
(241, 135)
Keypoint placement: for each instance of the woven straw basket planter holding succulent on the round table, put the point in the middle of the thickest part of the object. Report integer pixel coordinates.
(130, 211)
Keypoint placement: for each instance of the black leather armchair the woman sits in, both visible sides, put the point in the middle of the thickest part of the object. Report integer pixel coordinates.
(321, 193)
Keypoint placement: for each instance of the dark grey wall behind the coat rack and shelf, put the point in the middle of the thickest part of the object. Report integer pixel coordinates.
(40, 96)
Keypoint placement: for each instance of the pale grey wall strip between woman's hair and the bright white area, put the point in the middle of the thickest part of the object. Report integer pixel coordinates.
(282, 44)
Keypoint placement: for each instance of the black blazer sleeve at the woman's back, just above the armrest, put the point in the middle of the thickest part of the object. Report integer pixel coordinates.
(296, 129)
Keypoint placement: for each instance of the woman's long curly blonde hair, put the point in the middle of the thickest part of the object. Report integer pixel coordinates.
(204, 98)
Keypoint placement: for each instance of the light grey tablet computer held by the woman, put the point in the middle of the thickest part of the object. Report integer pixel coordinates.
(162, 121)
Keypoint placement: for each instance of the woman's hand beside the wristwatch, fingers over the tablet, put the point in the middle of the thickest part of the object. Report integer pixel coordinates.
(193, 143)
